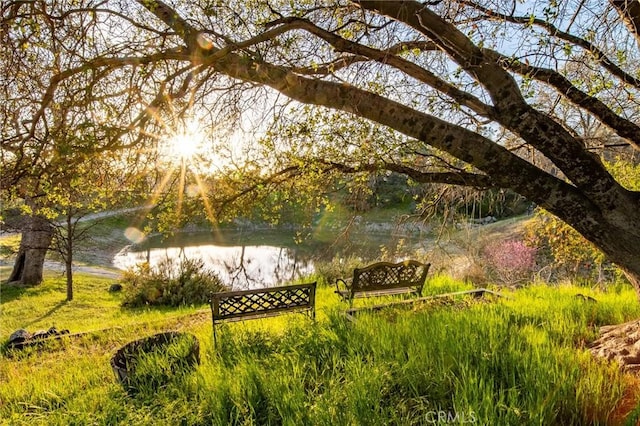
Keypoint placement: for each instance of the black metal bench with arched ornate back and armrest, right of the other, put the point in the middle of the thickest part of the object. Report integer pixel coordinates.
(383, 279)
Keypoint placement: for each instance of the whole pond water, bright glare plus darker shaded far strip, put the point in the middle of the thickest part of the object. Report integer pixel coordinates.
(249, 260)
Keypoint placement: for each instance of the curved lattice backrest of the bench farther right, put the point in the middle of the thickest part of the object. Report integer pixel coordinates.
(385, 275)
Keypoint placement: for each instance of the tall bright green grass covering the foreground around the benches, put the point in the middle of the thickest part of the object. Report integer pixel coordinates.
(518, 360)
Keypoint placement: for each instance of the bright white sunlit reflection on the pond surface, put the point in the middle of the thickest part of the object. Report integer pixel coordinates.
(241, 267)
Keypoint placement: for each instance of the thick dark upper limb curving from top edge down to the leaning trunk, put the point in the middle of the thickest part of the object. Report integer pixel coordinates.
(585, 170)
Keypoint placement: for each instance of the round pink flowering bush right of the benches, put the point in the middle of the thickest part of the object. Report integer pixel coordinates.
(510, 262)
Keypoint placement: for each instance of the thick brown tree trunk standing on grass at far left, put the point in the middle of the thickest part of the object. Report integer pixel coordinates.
(28, 268)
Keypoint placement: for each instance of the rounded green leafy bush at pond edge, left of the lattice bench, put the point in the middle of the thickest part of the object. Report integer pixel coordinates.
(170, 283)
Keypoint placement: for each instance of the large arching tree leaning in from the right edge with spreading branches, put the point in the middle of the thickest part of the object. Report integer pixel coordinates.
(450, 80)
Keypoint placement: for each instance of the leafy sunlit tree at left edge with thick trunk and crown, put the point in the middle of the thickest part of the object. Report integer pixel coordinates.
(55, 126)
